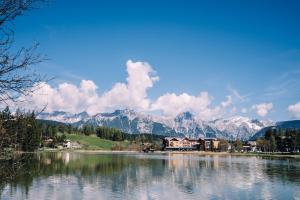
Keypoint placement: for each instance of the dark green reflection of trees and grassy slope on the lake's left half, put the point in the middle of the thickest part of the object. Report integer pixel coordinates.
(86, 167)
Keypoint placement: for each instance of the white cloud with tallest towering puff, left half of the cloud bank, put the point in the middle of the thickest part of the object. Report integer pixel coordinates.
(71, 98)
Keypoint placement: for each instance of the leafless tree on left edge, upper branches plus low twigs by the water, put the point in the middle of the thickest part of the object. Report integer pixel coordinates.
(17, 77)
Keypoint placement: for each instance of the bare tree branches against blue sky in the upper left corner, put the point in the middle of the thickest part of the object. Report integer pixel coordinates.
(17, 76)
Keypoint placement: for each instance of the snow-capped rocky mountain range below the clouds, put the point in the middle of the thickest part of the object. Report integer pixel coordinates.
(186, 124)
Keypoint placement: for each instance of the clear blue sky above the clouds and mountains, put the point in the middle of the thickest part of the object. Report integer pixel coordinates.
(237, 48)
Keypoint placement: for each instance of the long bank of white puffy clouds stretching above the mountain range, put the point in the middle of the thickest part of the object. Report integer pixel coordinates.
(130, 94)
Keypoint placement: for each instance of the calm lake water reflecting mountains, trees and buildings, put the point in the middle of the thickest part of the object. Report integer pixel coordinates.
(153, 176)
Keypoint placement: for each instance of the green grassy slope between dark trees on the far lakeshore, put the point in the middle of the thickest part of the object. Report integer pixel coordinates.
(92, 142)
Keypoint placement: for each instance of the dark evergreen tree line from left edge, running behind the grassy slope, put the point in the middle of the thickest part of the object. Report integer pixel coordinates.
(21, 131)
